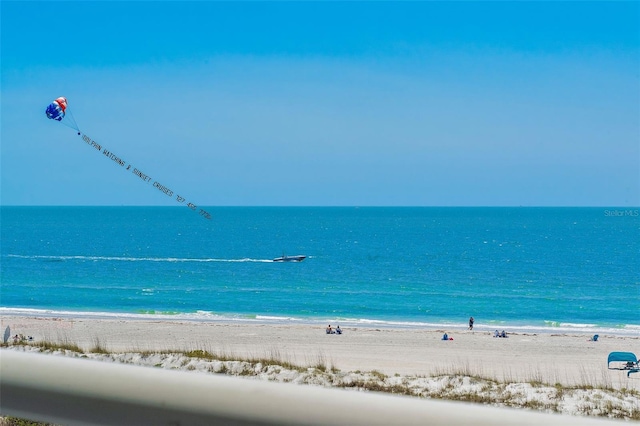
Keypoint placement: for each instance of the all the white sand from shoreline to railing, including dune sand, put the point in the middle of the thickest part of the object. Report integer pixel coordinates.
(414, 360)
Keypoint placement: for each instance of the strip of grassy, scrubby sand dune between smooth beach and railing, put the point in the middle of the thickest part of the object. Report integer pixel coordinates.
(459, 382)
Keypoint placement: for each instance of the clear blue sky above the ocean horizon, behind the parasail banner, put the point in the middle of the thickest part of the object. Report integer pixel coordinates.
(330, 103)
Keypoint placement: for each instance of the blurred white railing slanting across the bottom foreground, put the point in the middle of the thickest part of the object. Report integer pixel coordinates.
(73, 391)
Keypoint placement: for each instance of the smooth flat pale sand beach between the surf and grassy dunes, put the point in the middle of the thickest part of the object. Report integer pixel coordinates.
(568, 359)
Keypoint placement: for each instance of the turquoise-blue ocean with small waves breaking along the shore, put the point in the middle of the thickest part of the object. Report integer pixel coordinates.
(554, 270)
